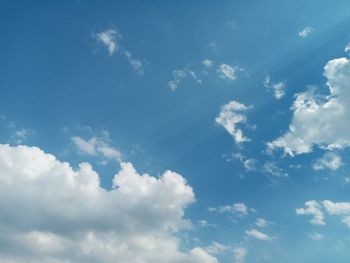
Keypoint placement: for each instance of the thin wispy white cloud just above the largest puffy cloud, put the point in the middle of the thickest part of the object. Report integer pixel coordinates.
(97, 146)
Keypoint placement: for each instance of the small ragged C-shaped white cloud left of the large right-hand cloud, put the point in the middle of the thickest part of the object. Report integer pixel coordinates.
(231, 114)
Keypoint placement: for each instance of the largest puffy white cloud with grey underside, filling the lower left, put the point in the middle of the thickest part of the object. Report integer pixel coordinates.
(55, 214)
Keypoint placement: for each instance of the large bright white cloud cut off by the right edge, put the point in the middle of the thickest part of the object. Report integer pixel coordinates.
(320, 120)
